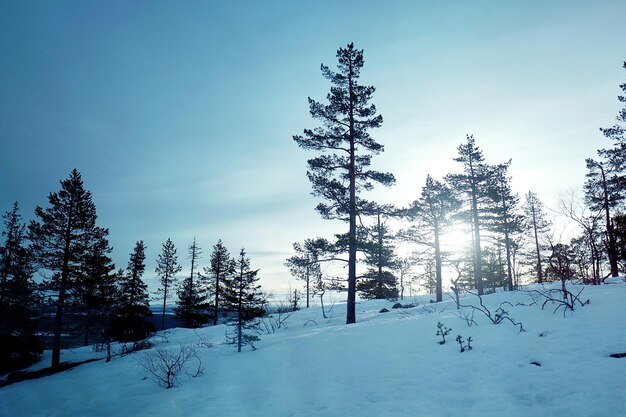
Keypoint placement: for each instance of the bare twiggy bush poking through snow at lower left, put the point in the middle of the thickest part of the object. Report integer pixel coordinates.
(166, 365)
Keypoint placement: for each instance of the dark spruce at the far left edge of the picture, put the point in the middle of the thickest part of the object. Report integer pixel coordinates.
(18, 344)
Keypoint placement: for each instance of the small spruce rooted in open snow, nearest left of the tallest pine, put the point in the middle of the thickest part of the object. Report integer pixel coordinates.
(243, 298)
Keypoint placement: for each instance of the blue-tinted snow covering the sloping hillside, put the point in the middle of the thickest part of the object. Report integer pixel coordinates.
(388, 364)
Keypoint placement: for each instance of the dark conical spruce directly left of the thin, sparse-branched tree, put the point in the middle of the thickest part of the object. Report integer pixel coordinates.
(133, 308)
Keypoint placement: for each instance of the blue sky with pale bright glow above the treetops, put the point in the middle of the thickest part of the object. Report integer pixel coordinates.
(180, 115)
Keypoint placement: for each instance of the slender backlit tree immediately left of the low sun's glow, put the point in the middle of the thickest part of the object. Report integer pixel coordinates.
(433, 213)
